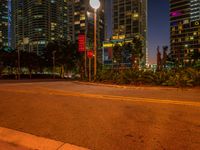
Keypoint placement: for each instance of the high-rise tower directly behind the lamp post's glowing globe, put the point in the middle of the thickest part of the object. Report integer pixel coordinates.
(81, 17)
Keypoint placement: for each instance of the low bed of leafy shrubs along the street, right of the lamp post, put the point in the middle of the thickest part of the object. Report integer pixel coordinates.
(186, 77)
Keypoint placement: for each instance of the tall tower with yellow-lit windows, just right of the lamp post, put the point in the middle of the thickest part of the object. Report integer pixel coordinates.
(130, 20)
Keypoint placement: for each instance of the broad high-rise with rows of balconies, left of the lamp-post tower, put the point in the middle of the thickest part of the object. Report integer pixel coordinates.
(36, 22)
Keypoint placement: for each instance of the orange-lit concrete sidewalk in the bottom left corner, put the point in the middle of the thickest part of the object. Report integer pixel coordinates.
(15, 140)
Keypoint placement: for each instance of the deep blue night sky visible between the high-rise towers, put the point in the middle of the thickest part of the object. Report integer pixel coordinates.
(158, 25)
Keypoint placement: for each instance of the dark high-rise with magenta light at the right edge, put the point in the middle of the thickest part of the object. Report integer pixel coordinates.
(185, 30)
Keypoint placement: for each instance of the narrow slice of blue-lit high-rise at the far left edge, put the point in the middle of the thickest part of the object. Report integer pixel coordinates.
(5, 23)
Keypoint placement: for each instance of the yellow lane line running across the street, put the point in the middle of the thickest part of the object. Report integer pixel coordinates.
(108, 97)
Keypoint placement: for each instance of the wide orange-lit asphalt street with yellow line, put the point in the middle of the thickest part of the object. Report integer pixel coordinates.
(103, 117)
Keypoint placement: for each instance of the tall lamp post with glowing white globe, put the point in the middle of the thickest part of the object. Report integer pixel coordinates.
(95, 4)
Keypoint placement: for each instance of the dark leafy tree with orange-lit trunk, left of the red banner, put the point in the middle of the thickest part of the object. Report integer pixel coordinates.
(66, 56)
